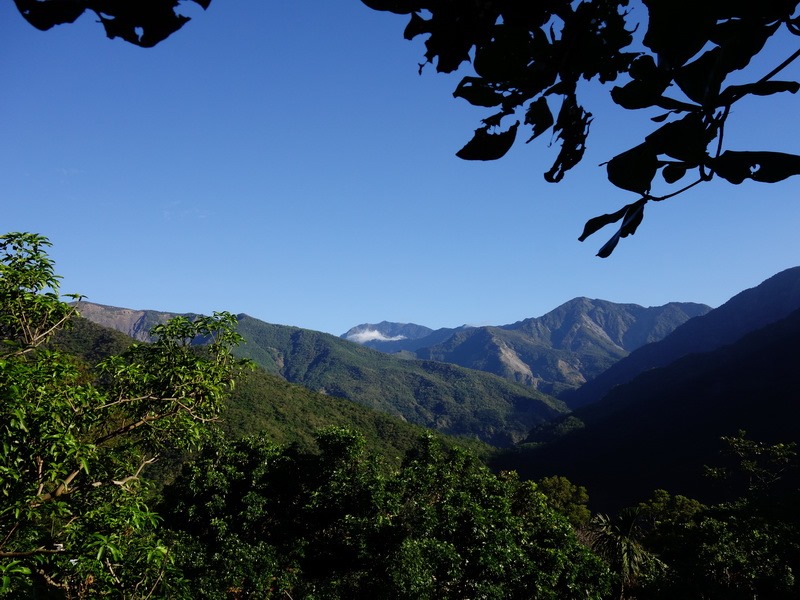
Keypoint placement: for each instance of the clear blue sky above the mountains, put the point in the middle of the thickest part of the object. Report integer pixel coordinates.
(285, 159)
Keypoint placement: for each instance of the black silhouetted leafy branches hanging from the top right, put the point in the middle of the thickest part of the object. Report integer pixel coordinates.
(528, 59)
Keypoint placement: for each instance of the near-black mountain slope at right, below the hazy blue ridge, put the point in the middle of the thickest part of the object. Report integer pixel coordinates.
(659, 429)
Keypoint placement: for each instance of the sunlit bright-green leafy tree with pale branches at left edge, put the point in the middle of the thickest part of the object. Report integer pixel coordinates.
(75, 441)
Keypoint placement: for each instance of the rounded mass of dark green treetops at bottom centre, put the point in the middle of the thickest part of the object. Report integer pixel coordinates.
(264, 521)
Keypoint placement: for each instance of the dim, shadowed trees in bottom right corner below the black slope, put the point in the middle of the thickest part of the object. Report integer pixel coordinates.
(745, 547)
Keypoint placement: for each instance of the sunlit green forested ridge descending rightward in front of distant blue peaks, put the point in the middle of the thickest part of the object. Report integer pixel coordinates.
(440, 396)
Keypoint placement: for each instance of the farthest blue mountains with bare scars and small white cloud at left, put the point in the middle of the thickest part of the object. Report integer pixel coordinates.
(554, 353)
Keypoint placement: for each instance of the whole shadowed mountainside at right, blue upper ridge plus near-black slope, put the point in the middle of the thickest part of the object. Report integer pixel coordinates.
(655, 419)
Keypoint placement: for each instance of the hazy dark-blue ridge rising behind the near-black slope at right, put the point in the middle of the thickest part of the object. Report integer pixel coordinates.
(748, 311)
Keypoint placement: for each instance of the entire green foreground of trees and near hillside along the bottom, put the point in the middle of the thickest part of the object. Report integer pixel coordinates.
(288, 499)
